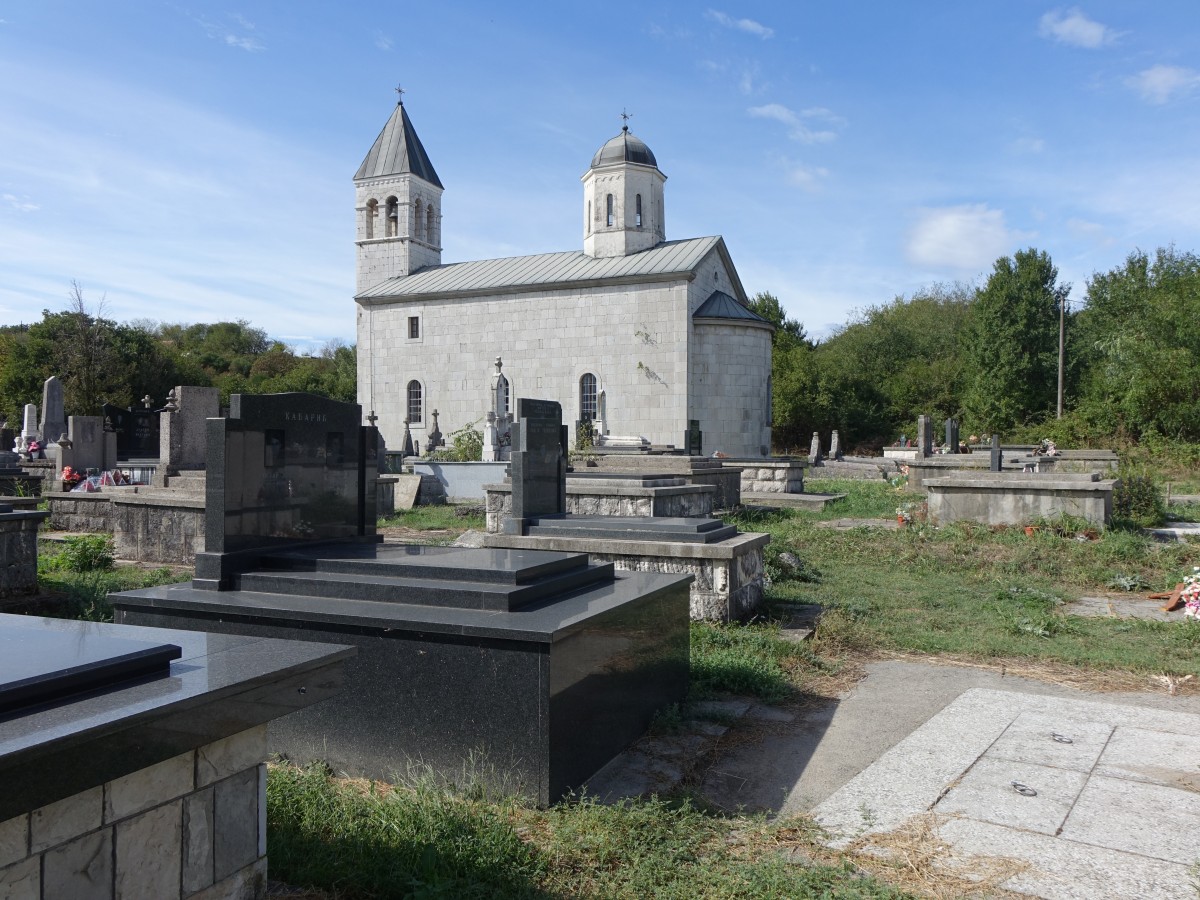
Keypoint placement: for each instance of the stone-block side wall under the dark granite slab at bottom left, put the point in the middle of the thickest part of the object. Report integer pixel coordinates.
(194, 826)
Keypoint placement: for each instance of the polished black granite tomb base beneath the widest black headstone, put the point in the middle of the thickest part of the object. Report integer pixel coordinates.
(526, 670)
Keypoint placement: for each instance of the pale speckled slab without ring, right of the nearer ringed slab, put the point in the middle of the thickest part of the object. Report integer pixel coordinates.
(1138, 818)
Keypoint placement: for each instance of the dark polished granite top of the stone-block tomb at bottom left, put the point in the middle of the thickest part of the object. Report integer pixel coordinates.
(91, 703)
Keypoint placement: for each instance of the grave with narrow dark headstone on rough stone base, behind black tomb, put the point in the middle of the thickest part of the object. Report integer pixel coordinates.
(727, 567)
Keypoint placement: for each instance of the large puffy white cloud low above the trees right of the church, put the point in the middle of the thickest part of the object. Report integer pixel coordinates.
(969, 237)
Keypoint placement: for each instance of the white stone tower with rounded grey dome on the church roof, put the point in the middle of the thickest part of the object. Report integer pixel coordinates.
(623, 200)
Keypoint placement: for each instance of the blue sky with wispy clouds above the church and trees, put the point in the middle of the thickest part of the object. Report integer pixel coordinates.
(194, 164)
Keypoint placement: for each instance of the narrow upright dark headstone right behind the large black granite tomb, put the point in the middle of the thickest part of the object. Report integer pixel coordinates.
(538, 467)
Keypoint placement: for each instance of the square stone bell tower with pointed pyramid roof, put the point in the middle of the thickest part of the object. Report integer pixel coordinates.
(398, 206)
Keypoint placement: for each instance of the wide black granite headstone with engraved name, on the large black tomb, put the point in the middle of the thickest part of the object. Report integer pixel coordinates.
(285, 470)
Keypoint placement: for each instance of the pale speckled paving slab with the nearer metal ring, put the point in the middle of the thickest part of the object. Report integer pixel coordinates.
(987, 794)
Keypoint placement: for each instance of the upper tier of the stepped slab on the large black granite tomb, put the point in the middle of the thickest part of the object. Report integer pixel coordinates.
(495, 567)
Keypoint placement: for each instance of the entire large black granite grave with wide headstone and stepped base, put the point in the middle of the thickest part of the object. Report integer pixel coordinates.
(530, 669)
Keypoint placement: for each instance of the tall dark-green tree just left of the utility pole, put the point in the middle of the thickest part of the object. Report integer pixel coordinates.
(1013, 345)
